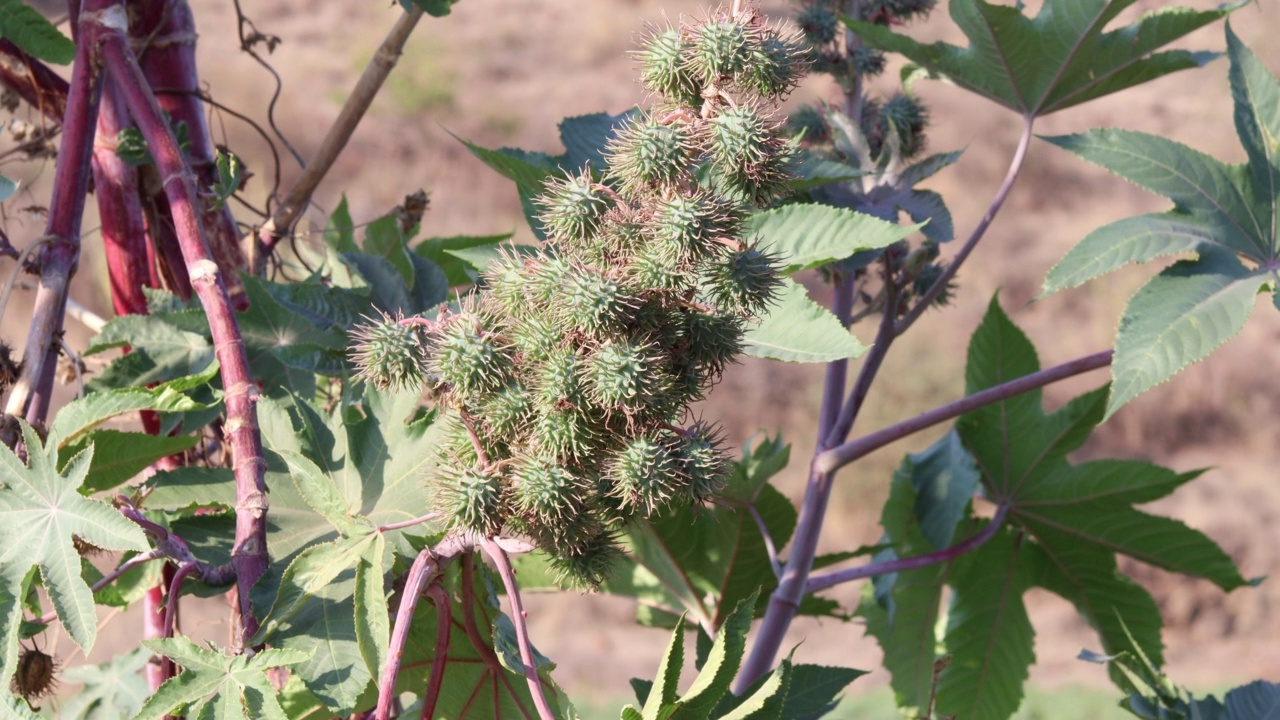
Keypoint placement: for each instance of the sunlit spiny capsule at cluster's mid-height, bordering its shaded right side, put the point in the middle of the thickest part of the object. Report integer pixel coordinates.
(628, 376)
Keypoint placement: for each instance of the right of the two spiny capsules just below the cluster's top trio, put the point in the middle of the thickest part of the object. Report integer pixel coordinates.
(749, 154)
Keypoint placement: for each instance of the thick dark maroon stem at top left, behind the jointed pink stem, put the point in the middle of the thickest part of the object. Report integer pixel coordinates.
(166, 34)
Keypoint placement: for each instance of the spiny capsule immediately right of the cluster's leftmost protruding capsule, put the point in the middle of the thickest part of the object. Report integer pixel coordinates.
(468, 359)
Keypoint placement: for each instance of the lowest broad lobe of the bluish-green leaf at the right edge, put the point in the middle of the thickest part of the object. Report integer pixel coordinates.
(1180, 318)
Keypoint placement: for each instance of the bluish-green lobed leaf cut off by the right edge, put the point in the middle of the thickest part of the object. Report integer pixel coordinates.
(1223, 215)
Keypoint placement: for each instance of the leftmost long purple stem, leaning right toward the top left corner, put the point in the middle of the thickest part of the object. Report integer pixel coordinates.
(61, 253)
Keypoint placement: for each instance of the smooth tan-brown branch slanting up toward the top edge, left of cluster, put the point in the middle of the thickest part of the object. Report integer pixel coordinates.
(295, 202)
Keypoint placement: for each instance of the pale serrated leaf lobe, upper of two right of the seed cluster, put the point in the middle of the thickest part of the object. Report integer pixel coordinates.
(812, 235)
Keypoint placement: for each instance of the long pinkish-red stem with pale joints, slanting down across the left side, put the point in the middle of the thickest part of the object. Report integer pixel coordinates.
(249, 554)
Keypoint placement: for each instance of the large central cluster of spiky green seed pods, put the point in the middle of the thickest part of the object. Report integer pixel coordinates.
(566, 382)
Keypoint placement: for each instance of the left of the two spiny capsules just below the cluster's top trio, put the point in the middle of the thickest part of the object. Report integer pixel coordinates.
(650, 153)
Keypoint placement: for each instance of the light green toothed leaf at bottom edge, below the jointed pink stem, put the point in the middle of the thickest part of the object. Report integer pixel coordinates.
(216, 685)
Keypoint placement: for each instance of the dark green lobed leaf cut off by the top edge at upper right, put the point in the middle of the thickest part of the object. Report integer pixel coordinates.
(1062, 58)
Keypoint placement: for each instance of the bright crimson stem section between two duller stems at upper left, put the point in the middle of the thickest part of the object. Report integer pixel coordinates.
(116, 184)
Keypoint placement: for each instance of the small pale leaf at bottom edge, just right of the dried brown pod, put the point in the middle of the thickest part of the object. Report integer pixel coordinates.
(112, 691)
